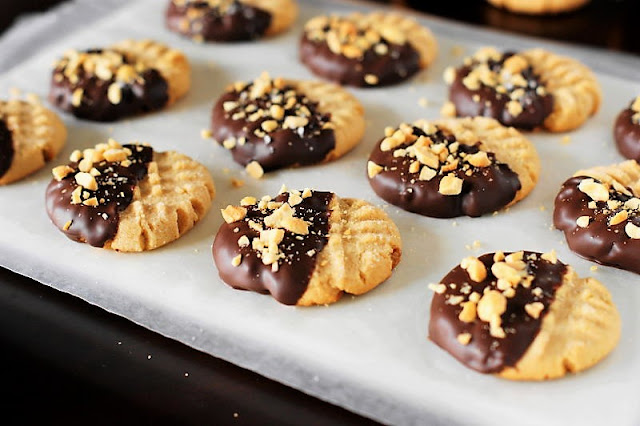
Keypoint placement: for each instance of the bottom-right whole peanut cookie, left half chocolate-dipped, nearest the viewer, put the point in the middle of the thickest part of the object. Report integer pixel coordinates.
(522, 316)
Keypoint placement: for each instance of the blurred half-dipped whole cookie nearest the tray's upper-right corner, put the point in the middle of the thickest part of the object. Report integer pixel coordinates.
(529, 89)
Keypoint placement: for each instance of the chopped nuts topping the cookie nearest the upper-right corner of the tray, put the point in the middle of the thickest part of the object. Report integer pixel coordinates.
(510, 75)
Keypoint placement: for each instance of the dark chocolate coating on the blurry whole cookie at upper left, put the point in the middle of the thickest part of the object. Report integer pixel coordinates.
(149, 92)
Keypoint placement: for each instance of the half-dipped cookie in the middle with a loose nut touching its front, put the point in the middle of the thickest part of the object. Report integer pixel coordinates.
(269, 123)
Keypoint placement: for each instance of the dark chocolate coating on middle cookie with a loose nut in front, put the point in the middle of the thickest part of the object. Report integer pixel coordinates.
(280, 148)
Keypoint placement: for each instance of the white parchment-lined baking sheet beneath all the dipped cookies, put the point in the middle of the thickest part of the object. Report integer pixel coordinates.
(368, 354)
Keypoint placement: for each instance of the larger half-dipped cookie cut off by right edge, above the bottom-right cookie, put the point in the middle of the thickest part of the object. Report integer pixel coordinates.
(598, 210)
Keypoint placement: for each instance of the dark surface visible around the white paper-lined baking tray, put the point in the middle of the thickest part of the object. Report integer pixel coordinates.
(68, 362)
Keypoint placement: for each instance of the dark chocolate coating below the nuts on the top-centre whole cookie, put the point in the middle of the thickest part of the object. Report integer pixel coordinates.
(400, 63)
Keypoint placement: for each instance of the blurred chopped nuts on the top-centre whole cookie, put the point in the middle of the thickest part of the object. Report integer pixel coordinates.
(353, 36)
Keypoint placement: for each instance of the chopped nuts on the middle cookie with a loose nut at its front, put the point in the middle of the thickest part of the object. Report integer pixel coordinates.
(273, 105)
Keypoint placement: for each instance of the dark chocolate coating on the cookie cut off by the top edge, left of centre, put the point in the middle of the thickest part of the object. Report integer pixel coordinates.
(240, 22)
